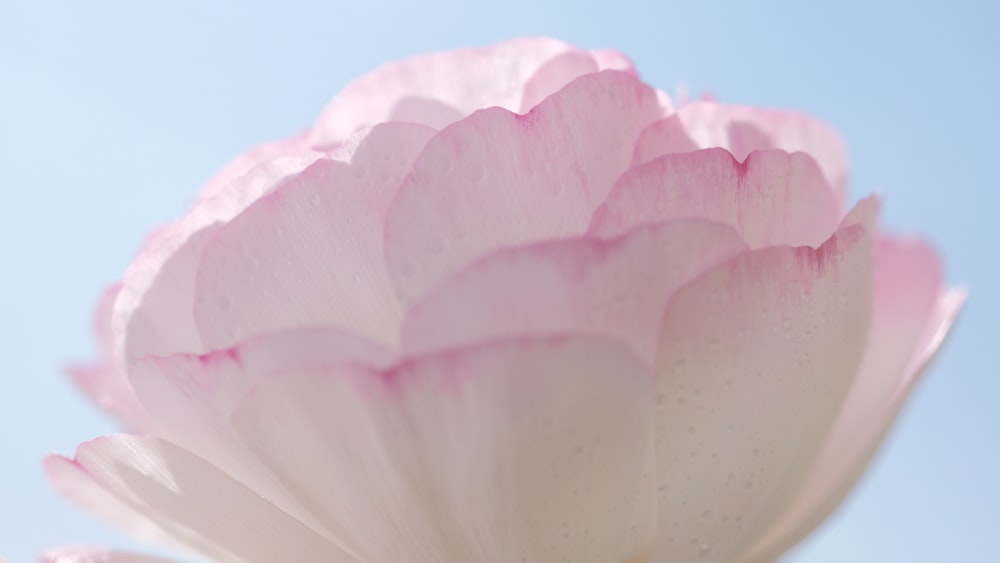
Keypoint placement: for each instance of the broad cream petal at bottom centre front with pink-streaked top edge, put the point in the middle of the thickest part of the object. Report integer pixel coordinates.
(528, 450)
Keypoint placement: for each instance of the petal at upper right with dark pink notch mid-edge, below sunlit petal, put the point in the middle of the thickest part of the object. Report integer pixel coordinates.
(771, 198)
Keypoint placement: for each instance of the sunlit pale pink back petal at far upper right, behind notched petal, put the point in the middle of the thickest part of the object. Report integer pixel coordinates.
(744, 129)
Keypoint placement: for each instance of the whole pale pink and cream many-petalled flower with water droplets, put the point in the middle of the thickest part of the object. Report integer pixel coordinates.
(508, 304)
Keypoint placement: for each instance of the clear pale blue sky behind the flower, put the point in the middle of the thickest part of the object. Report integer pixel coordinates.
(112, 114)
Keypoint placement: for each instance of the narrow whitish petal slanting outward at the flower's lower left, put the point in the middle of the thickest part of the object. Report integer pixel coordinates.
(197, 504)
